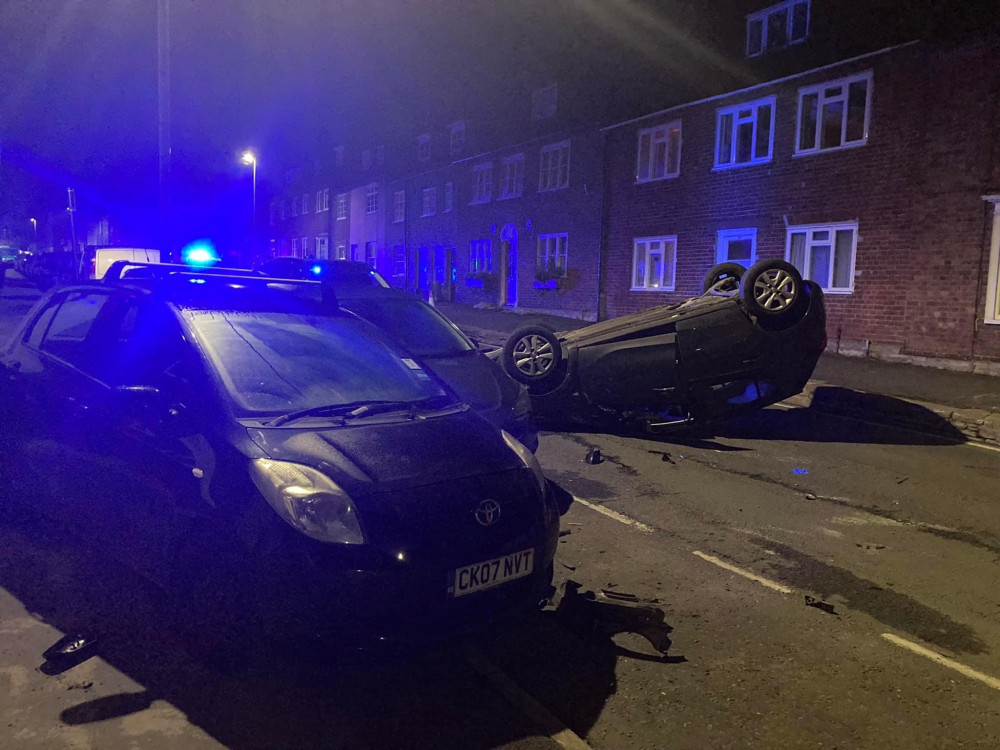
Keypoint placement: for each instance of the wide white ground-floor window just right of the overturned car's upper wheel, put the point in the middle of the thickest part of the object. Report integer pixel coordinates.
(824, 253)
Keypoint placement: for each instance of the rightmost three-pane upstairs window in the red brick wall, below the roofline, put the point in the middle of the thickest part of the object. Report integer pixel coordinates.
(834, 115)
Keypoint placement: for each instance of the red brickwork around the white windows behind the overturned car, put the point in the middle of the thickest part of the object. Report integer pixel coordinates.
(914, 190)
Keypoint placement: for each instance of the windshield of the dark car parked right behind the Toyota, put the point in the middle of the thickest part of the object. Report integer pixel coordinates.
(422, 331)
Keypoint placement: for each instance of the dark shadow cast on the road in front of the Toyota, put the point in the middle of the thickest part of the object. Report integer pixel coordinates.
(564, 656)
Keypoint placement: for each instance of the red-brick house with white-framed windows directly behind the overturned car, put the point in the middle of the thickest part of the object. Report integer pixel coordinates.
(867, 174)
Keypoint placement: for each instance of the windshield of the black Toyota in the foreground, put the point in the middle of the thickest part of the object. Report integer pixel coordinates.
(273, 362)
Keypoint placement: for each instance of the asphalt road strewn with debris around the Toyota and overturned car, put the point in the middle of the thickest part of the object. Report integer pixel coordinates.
(705, 549)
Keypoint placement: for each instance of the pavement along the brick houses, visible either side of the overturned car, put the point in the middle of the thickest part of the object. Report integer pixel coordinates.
(957, 405)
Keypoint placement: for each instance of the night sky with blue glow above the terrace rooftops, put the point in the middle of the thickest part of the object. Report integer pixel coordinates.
(291, 78)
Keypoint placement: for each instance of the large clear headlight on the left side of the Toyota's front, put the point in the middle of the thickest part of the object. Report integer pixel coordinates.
(308, 500)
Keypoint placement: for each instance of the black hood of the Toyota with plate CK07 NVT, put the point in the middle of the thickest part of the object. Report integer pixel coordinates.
(377, 455)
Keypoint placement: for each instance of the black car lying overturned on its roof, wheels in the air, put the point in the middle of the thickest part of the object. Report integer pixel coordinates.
(752, 338)
